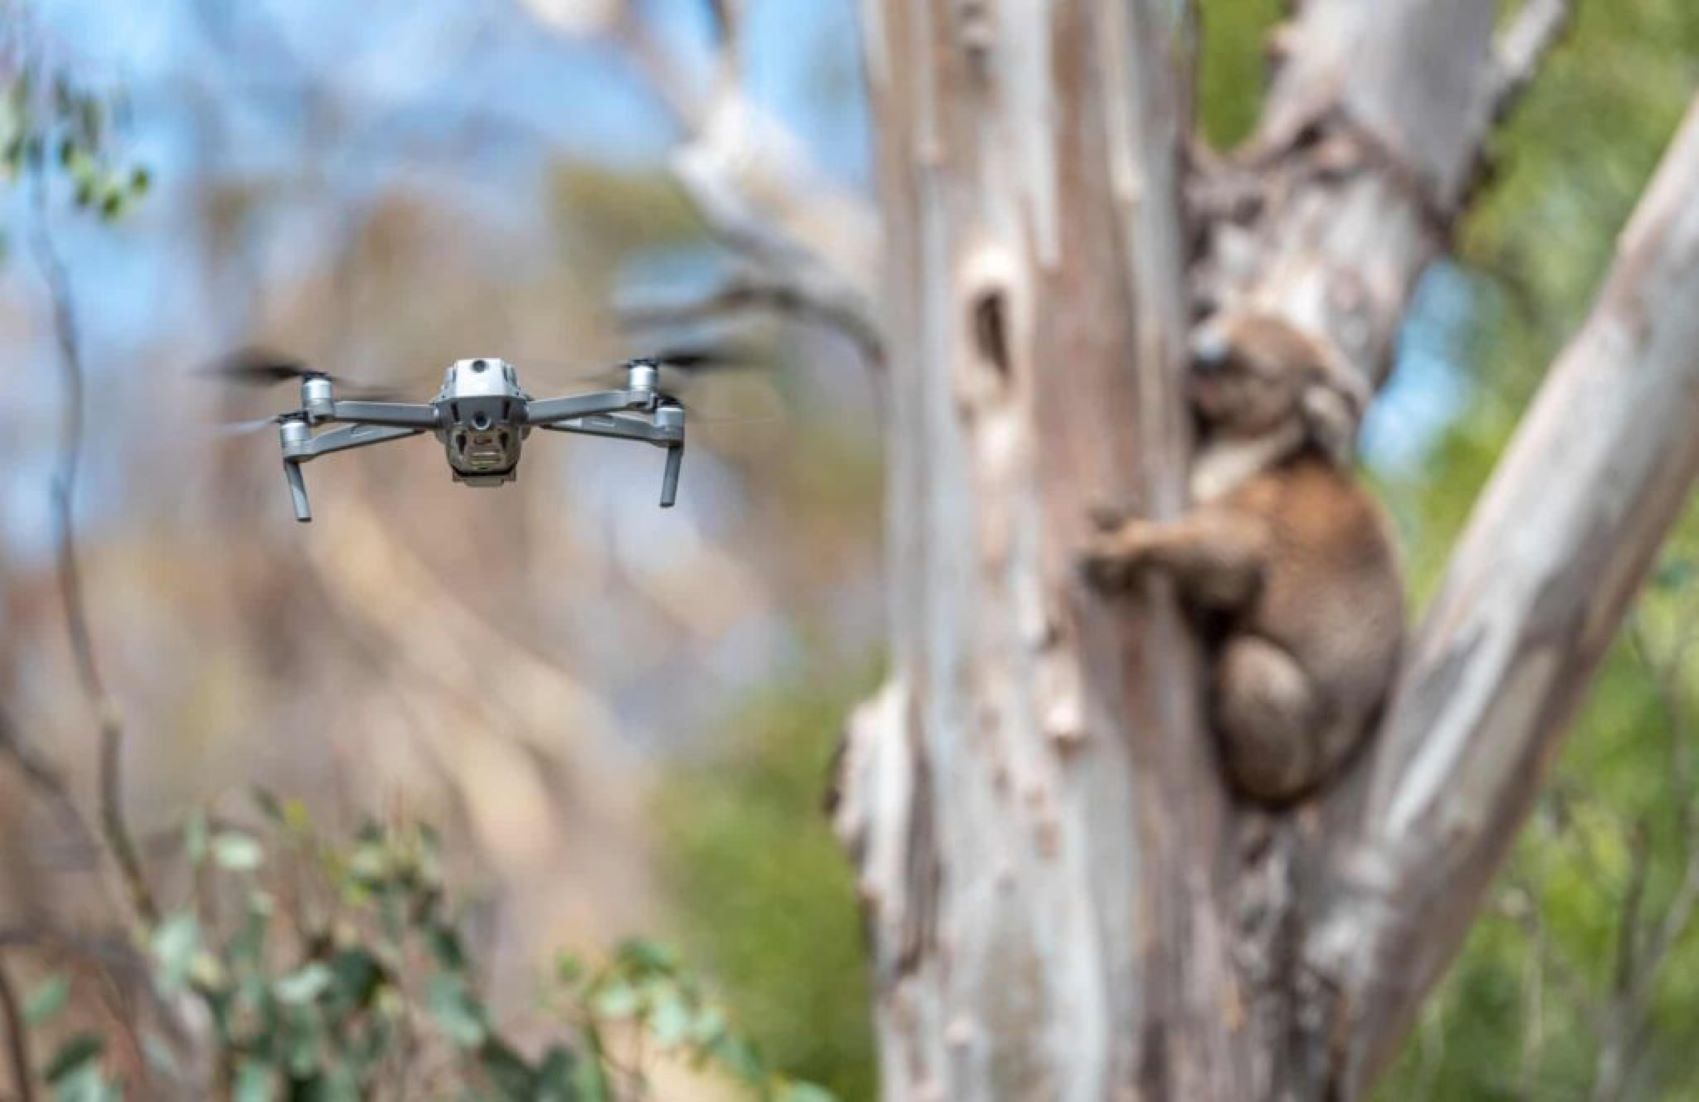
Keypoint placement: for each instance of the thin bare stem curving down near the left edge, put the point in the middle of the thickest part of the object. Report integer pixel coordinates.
(111, 779)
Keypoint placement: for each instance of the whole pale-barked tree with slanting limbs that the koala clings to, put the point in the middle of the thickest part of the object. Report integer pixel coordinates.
(1064, 901)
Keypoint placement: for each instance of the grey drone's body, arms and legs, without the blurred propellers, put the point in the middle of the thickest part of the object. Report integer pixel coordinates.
(482, 417)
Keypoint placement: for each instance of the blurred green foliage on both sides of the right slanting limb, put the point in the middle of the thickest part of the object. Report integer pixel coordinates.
(1540, 1003)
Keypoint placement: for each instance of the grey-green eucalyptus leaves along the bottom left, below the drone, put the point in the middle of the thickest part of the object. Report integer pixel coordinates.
(342, 974)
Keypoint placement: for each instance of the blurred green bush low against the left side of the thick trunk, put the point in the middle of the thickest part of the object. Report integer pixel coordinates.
(764, 889)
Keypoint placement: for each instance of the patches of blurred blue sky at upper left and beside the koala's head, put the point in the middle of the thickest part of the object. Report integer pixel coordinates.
(412, 70)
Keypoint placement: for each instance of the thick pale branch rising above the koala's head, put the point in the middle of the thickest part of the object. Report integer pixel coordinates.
(1369, 147)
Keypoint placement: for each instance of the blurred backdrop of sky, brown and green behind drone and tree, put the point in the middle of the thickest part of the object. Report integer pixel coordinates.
(621, 719)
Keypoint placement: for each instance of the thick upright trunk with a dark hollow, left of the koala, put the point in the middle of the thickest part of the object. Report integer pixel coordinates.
(1030, 796)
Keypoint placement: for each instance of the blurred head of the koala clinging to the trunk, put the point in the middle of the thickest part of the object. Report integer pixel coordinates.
(1253, 374)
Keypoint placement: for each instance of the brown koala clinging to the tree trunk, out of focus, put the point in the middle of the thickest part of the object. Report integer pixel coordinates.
(1287, 563)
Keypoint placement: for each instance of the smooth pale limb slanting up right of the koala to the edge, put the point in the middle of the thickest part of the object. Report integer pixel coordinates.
(1552, 558)
